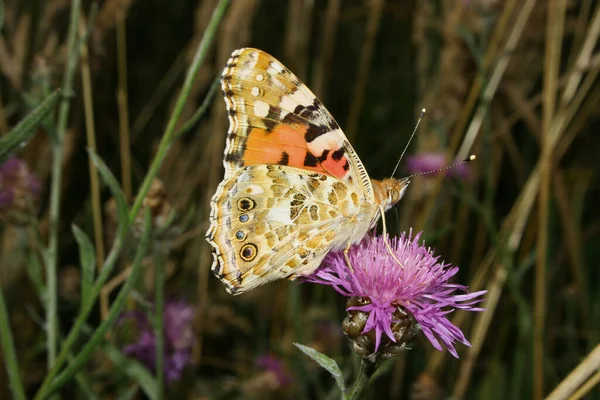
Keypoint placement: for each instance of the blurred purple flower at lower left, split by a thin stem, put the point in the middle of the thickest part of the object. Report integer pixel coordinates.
(178, 338)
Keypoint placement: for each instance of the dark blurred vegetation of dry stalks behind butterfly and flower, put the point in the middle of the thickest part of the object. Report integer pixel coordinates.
(514, 82)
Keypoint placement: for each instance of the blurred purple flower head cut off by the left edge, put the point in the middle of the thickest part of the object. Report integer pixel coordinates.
(19, 188)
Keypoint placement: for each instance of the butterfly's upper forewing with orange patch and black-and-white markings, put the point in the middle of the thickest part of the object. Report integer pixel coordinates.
(275, 119)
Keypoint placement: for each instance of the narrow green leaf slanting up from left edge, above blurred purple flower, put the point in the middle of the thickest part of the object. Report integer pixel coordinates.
(25, 130)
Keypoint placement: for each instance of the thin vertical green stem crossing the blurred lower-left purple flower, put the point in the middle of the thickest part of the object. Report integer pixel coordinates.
(159, 314)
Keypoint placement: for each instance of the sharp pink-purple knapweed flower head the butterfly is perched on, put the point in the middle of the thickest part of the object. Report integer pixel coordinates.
(385, 298)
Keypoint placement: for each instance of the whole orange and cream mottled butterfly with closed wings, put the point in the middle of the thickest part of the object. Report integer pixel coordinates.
(294, 188)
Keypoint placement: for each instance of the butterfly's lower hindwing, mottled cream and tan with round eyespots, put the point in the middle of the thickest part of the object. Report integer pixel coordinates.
(272, 222)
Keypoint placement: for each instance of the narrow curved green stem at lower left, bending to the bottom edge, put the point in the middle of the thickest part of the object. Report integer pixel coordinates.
(115, 310)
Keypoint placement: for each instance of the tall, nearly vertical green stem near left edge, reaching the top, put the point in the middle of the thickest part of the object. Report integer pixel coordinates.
(57, 160)
